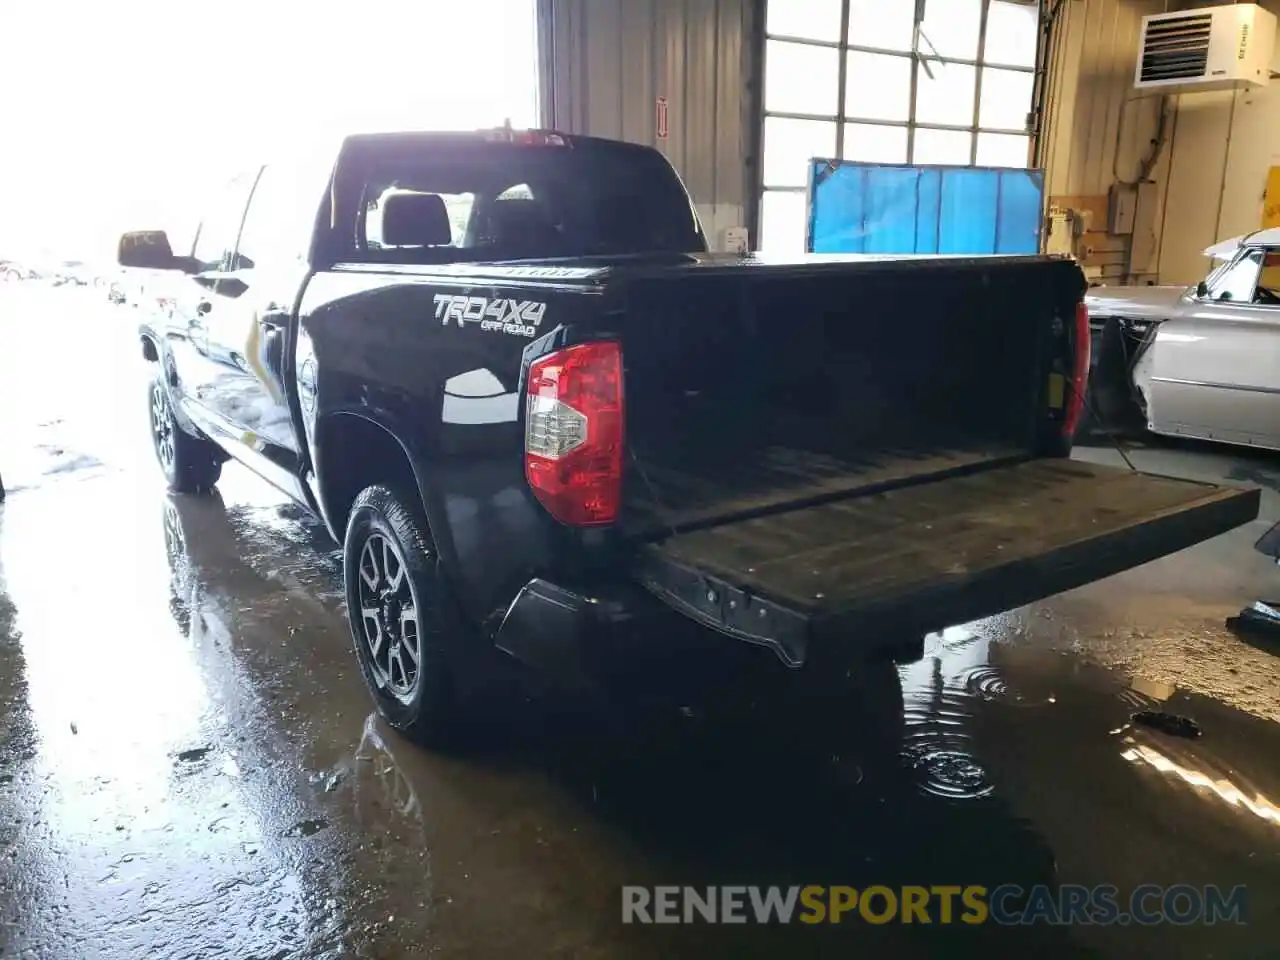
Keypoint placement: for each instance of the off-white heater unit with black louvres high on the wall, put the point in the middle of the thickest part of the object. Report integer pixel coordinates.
(1215, 48)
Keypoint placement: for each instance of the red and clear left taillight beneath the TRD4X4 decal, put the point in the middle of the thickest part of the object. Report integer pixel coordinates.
(574, 433)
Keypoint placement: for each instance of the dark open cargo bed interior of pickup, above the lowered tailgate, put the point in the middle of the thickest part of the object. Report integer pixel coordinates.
(785, 388)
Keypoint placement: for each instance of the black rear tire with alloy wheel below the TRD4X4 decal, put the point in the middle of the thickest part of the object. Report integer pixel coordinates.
(392, 570)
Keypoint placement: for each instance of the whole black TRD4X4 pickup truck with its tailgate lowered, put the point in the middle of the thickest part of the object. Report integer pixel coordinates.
(542, 418)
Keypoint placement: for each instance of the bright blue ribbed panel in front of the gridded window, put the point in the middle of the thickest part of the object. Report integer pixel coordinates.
(897, 209)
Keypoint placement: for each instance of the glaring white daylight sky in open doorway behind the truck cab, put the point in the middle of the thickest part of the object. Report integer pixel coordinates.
(118, 113)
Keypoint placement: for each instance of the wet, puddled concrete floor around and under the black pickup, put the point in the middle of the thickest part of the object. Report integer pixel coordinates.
(190, 766)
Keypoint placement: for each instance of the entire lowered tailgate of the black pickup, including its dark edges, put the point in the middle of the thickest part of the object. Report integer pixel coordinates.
(925, 557)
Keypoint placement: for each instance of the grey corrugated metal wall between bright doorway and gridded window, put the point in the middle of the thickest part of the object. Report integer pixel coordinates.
(606, 63)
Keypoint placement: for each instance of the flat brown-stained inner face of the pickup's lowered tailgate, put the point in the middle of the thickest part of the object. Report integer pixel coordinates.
(852, 552)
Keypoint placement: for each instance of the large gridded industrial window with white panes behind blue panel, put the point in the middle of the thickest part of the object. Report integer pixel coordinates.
(890, 81)
